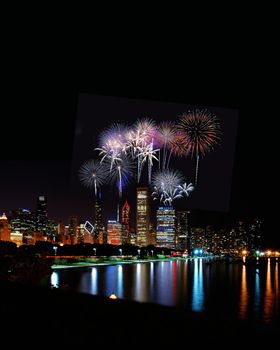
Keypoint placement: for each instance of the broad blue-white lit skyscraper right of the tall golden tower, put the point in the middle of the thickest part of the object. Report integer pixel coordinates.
(166, 227)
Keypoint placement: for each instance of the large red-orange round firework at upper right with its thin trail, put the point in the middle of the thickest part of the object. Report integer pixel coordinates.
(201, 131)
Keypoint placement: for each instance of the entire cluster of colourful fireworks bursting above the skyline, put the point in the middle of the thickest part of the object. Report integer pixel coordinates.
(125, 152)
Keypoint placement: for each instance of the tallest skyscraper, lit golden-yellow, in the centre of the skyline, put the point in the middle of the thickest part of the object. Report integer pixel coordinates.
(142, 216)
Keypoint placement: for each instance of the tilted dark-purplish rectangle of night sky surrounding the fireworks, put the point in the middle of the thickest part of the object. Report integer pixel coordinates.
(97, 113)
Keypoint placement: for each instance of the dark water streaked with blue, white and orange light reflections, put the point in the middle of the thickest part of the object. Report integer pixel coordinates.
(239, 291)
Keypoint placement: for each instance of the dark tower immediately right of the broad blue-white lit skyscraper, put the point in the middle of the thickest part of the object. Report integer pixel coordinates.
(182, 229)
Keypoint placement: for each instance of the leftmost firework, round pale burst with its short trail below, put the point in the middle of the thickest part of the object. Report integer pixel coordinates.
(92, 174)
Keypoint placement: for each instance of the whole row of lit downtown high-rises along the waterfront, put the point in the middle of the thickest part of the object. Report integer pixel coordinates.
(167, 228)
